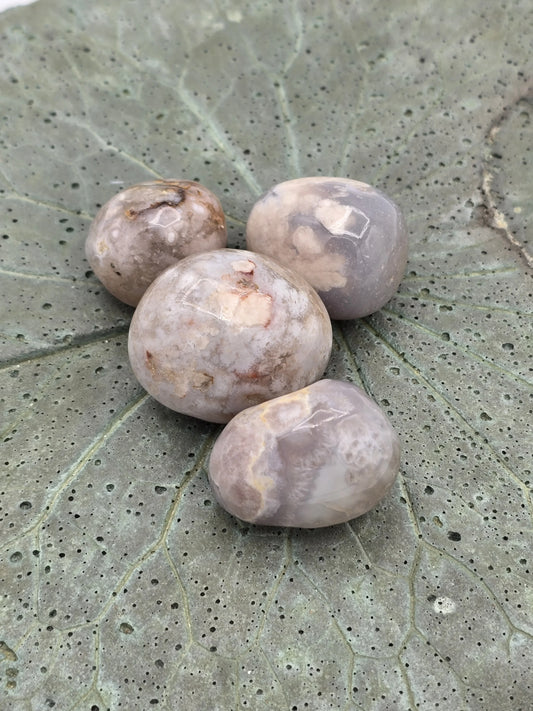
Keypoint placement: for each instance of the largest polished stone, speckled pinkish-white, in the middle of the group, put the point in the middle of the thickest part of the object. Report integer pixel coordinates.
(221, 331)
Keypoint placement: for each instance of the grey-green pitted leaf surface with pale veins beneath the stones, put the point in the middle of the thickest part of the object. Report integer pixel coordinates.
(123, 584)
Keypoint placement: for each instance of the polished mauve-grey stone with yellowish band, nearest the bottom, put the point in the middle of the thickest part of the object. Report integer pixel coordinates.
(316, 457)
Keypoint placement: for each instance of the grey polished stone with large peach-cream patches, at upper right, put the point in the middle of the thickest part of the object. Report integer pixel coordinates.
(346, 238)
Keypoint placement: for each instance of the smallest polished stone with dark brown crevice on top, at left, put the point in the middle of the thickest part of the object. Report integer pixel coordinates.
(144, 229)
